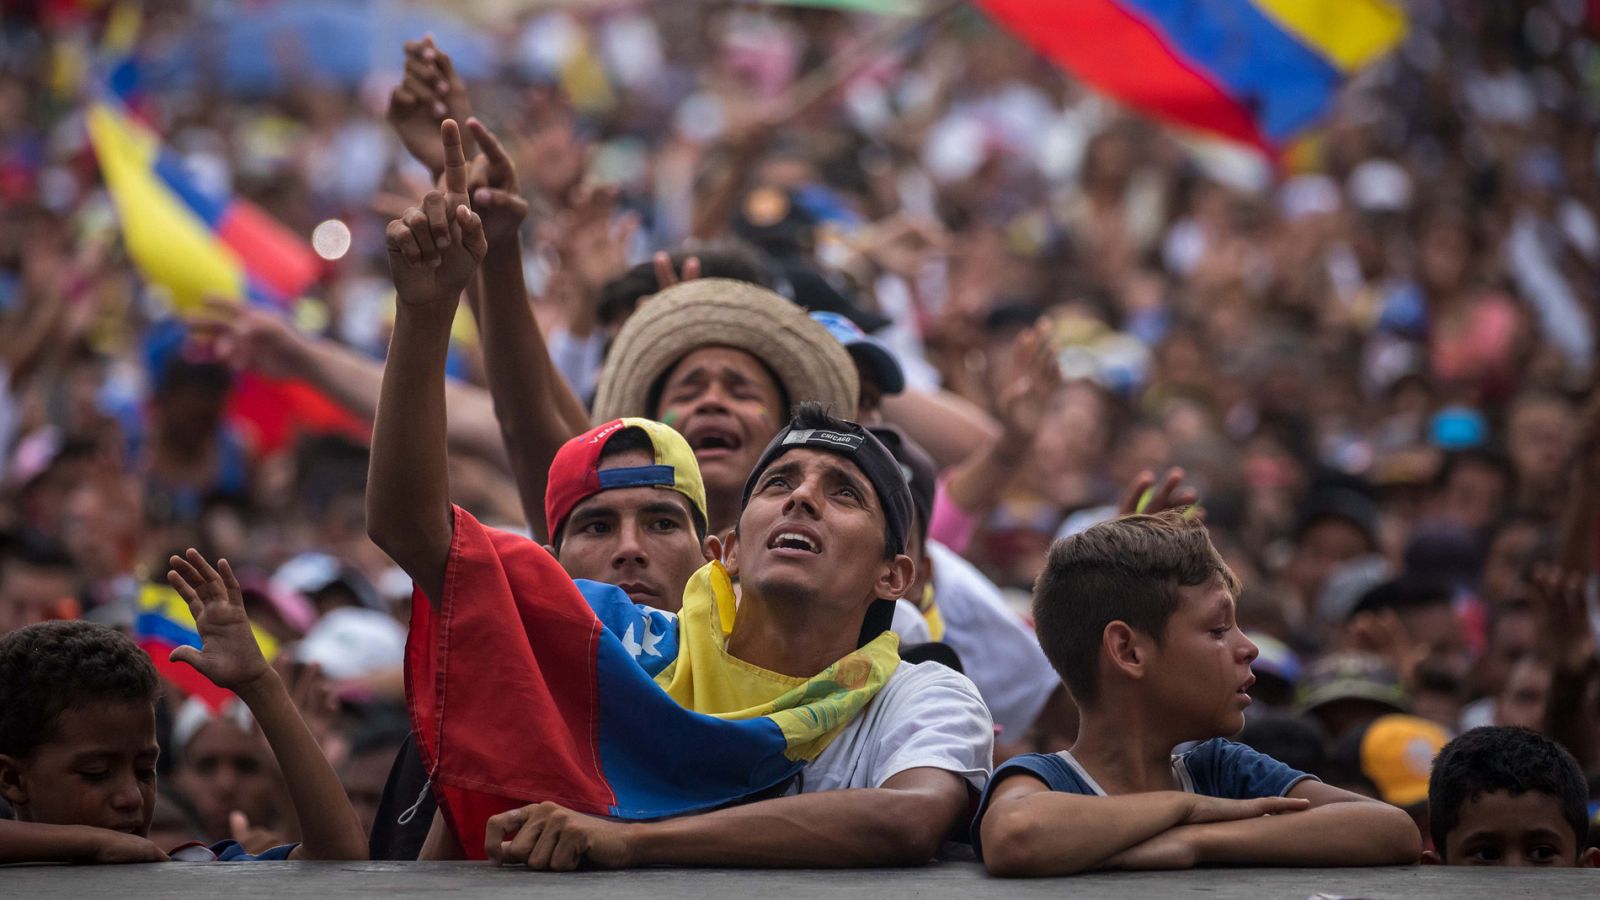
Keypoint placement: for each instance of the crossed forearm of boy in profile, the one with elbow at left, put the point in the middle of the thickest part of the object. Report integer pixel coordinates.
(1031, 830)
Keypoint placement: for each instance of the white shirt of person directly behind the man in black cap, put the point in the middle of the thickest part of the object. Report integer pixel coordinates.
(999, 651)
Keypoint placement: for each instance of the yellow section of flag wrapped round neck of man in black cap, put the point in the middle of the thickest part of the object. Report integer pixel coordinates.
(810, 712)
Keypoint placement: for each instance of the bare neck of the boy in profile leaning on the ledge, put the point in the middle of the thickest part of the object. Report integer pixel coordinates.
(1126, 750)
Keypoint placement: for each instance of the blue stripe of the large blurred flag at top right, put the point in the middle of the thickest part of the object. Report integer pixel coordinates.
(1284, 84)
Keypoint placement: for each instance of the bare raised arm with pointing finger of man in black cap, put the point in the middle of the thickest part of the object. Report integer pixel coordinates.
(433, 252)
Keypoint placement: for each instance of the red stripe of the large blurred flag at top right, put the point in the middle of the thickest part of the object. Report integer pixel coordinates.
(1119, 54)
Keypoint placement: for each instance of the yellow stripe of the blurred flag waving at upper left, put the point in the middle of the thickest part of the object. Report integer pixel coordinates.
(169, 243)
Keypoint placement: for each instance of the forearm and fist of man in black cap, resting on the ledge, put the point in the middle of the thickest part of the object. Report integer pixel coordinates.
(897, 826)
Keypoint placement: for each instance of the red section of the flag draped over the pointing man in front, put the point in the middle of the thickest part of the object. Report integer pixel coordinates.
(529, 733)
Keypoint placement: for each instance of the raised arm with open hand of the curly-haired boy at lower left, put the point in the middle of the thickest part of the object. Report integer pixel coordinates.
(230, 657)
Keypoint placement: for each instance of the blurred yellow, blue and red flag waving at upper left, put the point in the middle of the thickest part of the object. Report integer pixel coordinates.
(185, 238)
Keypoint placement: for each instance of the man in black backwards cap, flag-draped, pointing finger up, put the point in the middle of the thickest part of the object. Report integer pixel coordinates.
(882, 758)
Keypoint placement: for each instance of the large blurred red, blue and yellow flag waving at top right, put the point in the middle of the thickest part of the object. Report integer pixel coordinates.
(1255, 71)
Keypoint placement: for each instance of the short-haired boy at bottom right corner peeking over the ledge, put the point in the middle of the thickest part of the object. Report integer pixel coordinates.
(1506, 797)
